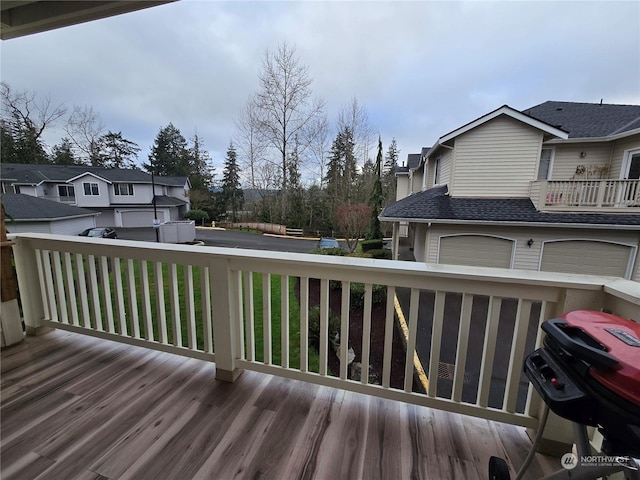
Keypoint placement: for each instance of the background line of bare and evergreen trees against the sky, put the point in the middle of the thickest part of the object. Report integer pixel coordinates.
(295, 168)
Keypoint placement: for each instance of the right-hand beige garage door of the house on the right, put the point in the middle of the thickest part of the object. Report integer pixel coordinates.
(586, 257)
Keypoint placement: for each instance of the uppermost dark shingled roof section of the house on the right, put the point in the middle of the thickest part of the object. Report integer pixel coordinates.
(588, 120)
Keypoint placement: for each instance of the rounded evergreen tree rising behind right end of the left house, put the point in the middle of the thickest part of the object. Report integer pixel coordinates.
(169, 154)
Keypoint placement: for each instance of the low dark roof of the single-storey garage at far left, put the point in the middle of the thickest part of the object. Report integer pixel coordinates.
(25, 208)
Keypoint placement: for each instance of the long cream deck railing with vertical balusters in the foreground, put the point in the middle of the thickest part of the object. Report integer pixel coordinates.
(200, 302)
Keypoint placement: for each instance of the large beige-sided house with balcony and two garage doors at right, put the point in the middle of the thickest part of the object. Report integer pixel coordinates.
(555, 187)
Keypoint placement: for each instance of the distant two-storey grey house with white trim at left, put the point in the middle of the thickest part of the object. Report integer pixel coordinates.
(123, 197)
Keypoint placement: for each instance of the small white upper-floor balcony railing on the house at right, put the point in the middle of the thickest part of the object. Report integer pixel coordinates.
(585, 194)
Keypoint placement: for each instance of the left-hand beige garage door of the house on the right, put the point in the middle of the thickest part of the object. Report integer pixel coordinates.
(476, 250)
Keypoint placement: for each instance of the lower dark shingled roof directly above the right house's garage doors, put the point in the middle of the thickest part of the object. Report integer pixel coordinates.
(436, 206)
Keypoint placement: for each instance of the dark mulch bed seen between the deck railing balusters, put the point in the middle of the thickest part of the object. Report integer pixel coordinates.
(376, 348)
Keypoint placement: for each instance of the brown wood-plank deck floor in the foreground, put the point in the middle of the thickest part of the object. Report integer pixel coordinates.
(75, 407)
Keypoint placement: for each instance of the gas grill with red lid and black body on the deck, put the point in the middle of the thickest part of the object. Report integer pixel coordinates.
(588, 371)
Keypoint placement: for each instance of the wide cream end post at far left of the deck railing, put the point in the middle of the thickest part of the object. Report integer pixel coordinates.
(27, 274)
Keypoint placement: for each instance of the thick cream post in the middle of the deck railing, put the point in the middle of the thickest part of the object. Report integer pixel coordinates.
(224, 292)
